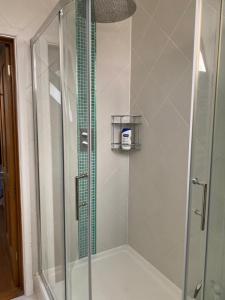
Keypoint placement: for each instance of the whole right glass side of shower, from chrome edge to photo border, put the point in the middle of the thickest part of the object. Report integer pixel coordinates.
(205, 240)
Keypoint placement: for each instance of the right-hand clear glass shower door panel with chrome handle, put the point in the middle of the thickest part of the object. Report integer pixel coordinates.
(201, 143)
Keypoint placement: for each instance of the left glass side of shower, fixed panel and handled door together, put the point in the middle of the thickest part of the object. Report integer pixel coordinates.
(61, 93)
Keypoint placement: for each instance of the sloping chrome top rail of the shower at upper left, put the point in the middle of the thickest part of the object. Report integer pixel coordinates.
(52, 15)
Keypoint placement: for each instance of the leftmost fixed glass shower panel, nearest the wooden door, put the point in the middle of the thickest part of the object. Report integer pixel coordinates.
(50, 158)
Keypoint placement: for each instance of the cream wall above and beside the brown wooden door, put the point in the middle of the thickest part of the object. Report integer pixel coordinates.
(21, 19)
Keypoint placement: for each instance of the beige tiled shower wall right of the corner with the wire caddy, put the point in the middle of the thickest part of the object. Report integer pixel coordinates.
(162, 47)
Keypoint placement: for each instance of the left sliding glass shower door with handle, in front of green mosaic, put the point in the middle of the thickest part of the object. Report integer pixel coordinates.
(75, 164)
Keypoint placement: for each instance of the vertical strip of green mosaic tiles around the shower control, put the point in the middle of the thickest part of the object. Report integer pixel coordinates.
(82, 119)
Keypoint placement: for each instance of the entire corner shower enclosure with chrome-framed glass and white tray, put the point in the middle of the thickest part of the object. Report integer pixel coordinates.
(111, 214)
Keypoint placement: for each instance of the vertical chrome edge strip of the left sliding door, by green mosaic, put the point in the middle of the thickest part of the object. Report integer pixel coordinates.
(89, 100)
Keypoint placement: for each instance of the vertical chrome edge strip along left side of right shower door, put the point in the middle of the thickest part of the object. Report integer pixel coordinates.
(197, 39)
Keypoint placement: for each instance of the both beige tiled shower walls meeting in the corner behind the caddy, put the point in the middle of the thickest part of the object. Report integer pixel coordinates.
(144, 66)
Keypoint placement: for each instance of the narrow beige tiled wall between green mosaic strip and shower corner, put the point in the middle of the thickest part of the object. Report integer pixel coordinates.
(113, 97)
